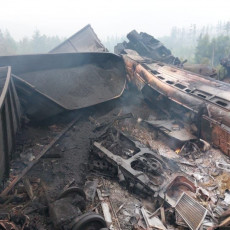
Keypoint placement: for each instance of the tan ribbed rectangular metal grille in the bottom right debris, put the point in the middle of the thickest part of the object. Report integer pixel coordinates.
(191, 211)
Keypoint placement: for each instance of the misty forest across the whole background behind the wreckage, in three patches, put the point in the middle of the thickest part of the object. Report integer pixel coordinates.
(204, 45)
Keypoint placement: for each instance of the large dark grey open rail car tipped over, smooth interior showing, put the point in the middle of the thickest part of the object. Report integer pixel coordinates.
(48, 84)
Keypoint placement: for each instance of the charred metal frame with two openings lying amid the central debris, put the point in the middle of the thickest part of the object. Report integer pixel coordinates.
(132, 173)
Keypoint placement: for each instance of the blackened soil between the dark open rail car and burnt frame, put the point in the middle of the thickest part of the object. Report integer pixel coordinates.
(73, 148)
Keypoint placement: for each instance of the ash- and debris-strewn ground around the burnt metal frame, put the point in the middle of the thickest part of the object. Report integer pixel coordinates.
(67, 164)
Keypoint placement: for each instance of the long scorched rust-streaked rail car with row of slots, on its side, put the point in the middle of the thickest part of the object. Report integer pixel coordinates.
(202, 102)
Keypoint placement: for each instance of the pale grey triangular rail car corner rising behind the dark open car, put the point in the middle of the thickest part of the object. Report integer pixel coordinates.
(84, 40)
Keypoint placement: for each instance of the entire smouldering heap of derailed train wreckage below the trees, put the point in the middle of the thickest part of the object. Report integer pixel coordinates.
(126, 144)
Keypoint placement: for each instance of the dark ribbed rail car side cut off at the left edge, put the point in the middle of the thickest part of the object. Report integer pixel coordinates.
(9, 119)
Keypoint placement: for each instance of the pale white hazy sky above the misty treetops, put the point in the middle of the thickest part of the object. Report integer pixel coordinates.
(108, 17)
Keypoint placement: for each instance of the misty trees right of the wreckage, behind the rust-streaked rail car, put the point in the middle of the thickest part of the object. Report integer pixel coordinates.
(204, 45)
